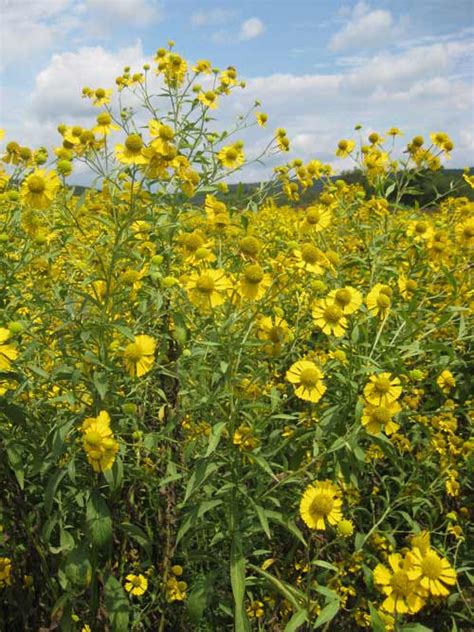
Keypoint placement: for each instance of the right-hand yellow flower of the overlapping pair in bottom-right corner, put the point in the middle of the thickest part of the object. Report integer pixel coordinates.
(432, 571)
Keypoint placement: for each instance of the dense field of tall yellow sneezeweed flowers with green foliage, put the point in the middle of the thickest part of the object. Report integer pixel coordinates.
(231, 416)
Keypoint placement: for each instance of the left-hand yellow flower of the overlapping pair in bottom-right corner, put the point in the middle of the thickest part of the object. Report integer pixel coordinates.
(402, 595)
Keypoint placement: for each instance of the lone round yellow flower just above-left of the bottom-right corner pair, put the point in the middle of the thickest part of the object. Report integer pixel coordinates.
(320, 504)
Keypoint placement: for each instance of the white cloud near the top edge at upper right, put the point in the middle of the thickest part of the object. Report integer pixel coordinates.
(366, 29)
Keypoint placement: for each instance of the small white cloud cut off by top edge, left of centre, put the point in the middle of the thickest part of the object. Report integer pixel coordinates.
(137, 13)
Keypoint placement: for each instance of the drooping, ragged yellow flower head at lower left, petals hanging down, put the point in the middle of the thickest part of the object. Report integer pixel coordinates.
(98, 442)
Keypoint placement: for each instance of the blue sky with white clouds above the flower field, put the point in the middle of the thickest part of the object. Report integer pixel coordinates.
(319, 67)
